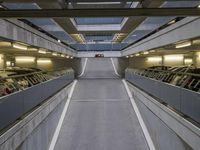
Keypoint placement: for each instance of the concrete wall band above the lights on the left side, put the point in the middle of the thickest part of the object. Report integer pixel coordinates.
(13, 29)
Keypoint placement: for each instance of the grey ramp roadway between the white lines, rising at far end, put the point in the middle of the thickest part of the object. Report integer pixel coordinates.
(100, 115)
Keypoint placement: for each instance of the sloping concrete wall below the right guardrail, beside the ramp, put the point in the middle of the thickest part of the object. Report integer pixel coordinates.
(168, 130)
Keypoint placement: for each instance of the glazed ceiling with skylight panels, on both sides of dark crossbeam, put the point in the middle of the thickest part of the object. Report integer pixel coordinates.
(102, 33)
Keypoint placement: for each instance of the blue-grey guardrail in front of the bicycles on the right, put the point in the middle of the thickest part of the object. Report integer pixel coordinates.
(181, 99)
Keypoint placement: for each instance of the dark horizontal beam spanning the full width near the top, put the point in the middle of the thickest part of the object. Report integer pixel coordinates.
(59, 13)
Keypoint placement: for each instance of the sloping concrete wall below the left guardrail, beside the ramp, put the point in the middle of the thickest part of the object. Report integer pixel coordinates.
(36, 129)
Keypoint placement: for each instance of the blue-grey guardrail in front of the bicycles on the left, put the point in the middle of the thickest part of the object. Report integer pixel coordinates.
(18, 103)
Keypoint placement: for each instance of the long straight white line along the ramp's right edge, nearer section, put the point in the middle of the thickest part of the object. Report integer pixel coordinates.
(141, 121)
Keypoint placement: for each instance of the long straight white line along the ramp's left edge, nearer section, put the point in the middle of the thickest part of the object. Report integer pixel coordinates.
(58, 128)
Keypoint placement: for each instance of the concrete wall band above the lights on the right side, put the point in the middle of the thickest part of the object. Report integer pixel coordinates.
(184, 29)
